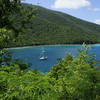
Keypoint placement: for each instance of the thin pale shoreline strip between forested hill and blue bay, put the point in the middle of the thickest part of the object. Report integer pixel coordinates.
(47, 45)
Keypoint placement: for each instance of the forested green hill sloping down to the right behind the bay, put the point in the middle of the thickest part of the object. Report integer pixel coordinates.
(37, 25)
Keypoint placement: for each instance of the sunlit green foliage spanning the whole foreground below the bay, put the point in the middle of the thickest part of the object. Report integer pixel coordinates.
(73, 78)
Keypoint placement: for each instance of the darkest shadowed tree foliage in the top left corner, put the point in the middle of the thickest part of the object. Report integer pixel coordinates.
(6, 8)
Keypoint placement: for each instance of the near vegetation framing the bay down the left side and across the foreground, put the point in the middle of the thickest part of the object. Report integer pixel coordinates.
(73, 78)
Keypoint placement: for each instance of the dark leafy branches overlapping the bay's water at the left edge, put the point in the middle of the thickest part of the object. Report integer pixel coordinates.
(7, 63)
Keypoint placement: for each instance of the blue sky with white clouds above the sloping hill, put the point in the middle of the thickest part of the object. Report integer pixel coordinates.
(88, 10)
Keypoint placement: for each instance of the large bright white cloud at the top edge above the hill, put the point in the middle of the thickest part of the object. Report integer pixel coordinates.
(71, 4)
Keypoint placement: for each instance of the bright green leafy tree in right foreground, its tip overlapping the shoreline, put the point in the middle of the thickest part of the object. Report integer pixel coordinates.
(77, 78)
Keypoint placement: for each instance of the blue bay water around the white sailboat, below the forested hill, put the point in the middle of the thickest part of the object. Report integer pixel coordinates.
(32, 54)
